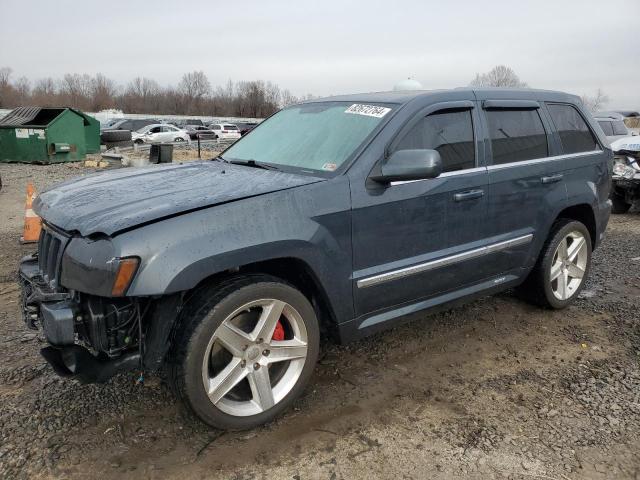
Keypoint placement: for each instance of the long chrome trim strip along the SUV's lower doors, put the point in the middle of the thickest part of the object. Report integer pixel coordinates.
(444, 261)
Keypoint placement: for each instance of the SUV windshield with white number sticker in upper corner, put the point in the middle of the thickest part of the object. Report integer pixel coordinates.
(314, 136)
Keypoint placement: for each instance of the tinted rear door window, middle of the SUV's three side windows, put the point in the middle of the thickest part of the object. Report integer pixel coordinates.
(516, 135)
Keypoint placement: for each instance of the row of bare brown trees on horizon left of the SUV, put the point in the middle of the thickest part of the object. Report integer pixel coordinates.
(194, 95)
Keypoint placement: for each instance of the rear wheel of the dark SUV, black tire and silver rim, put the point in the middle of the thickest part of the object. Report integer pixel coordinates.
(562, 267)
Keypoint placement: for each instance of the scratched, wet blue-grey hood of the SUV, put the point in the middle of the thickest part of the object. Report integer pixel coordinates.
(120, 199)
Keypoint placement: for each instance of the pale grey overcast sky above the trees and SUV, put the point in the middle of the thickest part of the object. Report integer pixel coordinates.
(331, 46)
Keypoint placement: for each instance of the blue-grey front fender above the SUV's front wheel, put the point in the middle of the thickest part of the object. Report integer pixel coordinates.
(311, 223)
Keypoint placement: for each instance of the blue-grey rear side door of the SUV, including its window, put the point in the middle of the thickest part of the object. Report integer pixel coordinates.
(525, 180)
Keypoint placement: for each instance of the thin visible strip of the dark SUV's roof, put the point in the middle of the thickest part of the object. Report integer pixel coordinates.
(406, 96)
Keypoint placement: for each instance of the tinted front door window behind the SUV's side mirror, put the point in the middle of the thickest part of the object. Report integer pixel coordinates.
(448, 132)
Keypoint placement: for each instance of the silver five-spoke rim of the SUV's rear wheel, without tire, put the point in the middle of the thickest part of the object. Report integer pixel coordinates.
(569, 265)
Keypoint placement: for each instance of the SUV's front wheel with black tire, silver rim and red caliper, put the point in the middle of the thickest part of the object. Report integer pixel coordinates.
(245, 350)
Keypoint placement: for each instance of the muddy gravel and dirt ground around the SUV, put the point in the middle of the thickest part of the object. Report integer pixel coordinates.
(495, 389)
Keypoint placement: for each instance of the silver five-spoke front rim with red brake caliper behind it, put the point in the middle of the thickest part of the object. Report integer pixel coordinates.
(255, 357)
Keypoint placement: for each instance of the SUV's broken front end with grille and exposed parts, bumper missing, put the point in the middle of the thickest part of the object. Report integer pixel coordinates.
(91, 337)
